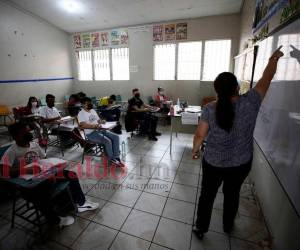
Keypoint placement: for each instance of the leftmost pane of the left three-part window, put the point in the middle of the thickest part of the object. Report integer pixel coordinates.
(85, 70)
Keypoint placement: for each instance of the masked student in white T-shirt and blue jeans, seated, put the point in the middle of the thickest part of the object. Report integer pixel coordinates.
(89, 120)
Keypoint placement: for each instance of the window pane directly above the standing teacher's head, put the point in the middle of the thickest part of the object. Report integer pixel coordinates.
(216, 58)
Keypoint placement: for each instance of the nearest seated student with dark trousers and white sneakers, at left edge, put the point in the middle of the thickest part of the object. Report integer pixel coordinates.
(25, 151)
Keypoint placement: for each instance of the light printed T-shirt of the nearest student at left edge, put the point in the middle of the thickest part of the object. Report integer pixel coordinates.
(16, 154)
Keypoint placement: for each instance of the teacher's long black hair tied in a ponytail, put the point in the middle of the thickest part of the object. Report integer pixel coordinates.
(226, 86)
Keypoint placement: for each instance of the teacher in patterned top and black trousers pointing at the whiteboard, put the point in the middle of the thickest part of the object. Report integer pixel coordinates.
(228, 126)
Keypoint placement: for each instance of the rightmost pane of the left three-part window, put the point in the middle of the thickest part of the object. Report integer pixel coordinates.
(120, 63)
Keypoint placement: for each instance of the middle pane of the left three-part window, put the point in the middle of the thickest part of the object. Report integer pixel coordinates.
(101, 64)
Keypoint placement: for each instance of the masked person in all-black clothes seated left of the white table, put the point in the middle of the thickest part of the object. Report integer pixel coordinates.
(137, 109)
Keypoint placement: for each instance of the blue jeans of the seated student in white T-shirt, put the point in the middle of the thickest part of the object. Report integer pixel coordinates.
(110, 140)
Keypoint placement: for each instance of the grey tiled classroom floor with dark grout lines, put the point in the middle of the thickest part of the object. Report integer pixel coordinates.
(150, 206)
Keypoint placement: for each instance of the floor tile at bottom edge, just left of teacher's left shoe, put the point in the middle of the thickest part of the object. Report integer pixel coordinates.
(172, 234)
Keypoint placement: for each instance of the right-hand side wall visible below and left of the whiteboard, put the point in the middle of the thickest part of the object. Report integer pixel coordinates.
(282, 220)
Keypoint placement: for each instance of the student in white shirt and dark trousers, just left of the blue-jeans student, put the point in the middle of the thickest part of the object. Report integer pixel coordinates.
(52, 119)
